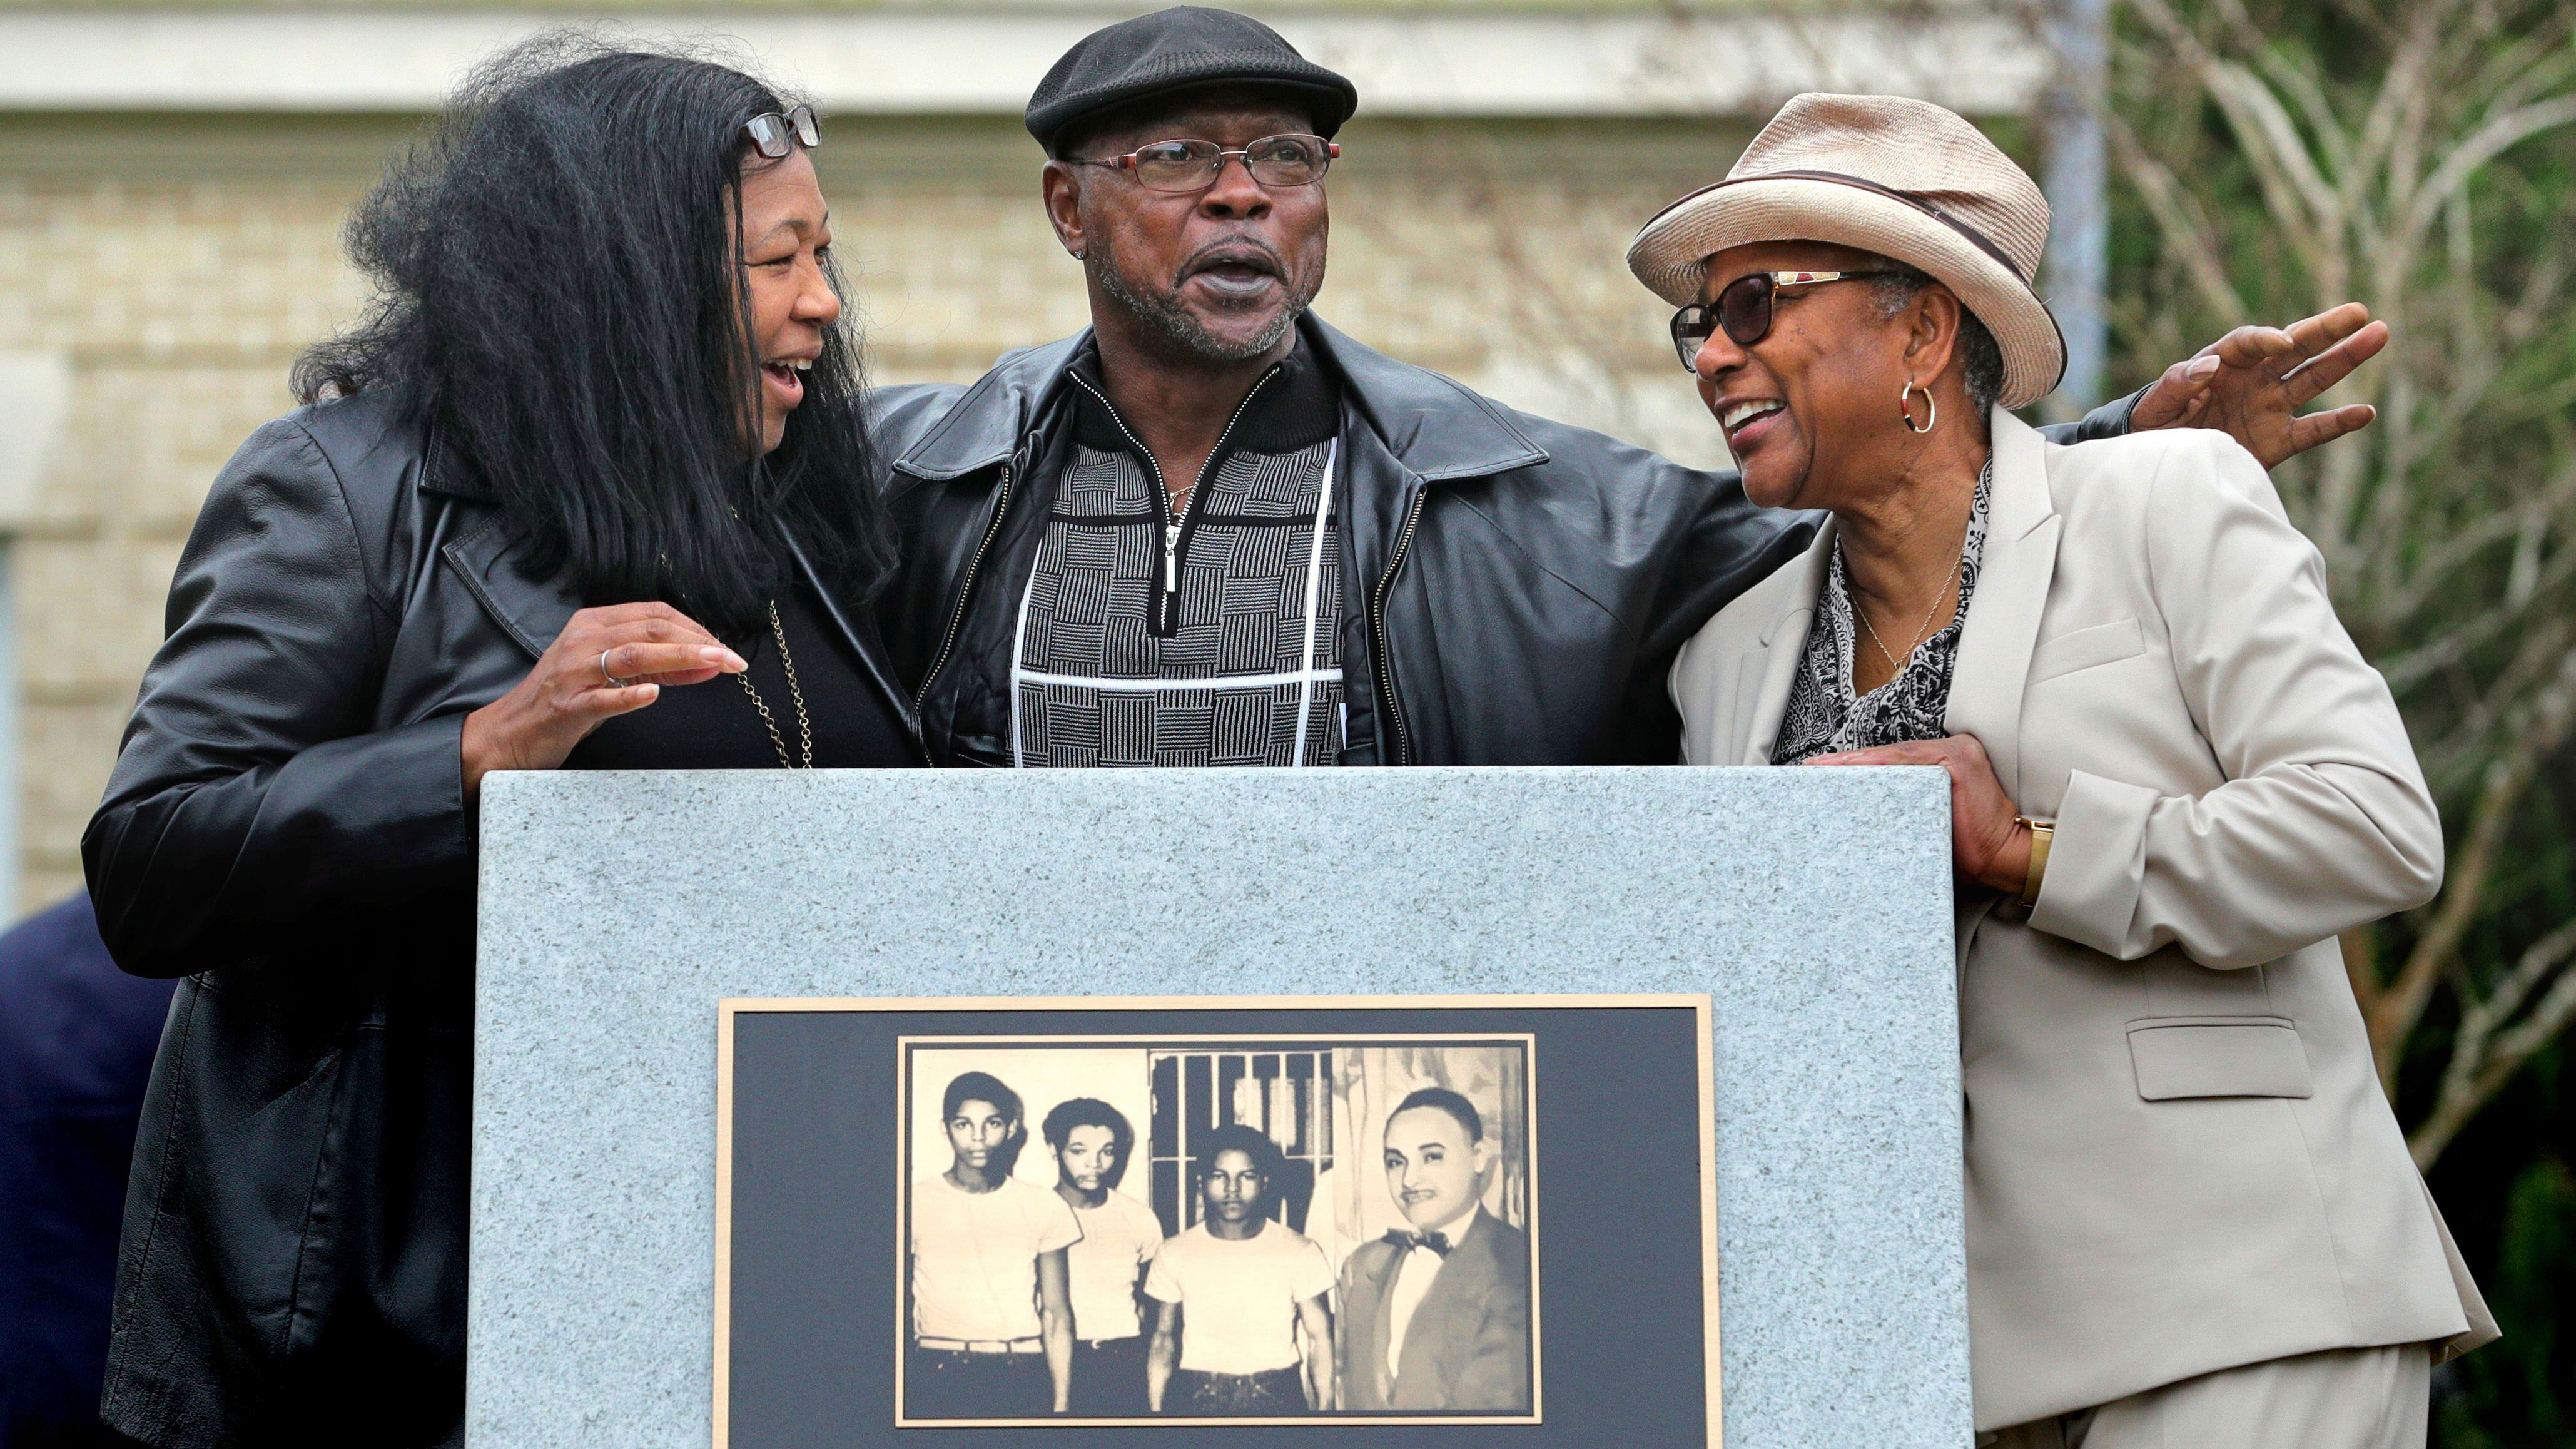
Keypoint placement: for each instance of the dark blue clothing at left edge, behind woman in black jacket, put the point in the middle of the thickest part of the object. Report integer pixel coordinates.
(76, 1051)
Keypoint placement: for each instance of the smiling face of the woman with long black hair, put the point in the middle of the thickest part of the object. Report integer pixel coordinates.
(787, 231)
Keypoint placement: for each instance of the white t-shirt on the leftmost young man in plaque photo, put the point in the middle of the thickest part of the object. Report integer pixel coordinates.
(975, 1257)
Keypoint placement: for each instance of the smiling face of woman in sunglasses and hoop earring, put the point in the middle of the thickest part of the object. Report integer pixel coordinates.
(1825, 375)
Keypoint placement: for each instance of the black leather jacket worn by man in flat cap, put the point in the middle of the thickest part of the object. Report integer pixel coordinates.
(1519, 587)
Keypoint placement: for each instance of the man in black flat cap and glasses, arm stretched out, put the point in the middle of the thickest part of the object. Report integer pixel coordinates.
(1217, 532)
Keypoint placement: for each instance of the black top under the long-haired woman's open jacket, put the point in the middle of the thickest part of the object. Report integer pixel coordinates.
(715, 726)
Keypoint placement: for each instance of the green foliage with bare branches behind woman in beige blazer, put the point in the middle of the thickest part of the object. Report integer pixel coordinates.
(2418, 156)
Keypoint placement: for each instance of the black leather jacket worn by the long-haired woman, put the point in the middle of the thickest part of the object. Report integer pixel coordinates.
(287, 829)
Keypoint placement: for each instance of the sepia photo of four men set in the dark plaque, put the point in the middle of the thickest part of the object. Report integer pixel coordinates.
(1266, 1280)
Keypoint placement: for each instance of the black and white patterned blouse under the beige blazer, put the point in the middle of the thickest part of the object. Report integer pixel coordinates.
(1823, 713)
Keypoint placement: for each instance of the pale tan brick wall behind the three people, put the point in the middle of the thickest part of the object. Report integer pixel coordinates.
(179, 267)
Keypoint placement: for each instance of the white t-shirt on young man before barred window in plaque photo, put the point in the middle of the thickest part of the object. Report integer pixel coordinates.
(1238, 1301)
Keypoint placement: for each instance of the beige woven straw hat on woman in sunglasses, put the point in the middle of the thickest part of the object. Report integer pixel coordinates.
(1895, 177)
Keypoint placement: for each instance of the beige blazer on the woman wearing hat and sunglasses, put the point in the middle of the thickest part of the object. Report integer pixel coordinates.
(2178, 1151)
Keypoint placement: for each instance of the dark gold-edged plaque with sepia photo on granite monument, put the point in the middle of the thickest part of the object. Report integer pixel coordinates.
(1382, 1218)
